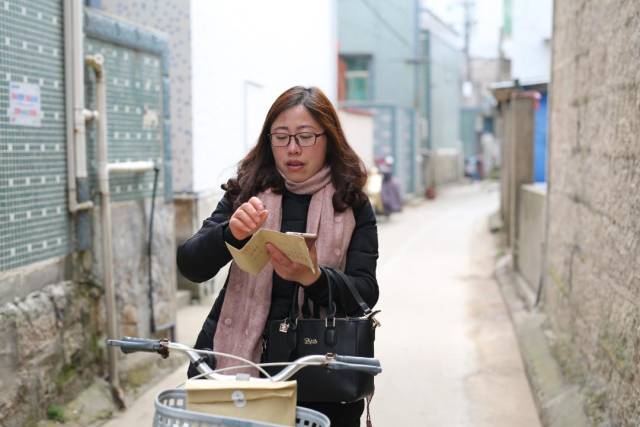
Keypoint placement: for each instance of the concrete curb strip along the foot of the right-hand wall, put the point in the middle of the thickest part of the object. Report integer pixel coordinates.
(558, 402)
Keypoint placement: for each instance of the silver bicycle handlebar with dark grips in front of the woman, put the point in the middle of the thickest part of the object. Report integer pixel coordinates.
(330, 360)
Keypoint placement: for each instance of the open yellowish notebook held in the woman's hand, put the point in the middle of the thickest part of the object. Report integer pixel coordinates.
(254, 256)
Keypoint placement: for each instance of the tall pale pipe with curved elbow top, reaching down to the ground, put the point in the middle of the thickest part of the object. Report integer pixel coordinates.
(96, 62)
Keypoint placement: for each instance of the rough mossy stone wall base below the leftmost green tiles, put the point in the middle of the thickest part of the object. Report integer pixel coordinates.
(51, 349)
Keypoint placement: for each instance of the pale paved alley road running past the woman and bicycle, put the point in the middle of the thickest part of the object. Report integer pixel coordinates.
(448, 350)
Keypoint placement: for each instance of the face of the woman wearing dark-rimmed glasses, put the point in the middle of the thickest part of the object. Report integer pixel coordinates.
(298, 163)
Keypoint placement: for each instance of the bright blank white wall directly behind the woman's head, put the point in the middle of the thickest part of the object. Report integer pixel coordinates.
(244, 54)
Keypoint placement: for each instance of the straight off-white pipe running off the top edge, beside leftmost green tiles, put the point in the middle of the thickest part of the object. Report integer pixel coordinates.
(74, 95)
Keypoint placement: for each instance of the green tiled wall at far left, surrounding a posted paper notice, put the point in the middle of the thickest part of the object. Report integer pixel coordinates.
(34, 222)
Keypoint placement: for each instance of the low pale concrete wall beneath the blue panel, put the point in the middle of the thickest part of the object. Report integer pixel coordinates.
(531, 231)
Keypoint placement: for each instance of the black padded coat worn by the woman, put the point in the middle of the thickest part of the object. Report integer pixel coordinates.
(201, 257)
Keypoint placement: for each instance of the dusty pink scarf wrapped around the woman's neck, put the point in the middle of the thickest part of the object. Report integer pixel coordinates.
(247, 298)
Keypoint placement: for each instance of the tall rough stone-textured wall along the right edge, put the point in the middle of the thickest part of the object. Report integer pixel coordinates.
(592, 288)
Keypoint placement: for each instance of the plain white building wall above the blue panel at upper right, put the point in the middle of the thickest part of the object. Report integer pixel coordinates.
(531, 34)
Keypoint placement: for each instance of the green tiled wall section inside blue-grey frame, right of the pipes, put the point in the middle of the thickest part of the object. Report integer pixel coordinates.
(134, 86)
